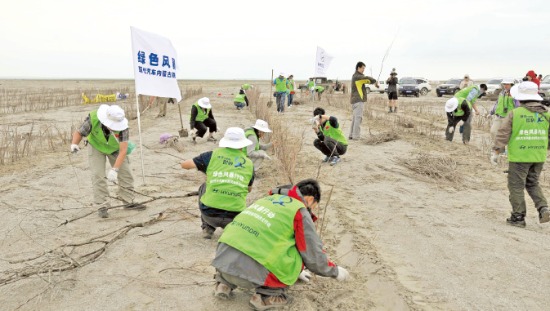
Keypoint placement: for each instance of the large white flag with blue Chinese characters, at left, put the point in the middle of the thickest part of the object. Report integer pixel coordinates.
(155, 61)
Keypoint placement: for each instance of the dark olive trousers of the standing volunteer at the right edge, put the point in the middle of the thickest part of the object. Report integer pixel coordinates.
(525, 176)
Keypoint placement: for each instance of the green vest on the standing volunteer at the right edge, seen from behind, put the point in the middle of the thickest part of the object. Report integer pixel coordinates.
(529, 140)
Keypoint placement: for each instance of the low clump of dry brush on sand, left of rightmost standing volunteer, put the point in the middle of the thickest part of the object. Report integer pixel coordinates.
(434, 167)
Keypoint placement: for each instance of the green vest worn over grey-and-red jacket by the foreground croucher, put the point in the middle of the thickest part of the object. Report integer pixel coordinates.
(265, 232)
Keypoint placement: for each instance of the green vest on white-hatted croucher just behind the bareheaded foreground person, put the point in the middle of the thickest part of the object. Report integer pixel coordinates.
(227, 177)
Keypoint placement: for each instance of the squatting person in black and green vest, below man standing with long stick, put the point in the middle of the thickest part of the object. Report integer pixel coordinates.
(331, 141)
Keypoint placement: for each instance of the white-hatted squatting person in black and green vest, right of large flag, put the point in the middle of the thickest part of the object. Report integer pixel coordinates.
(202, 119)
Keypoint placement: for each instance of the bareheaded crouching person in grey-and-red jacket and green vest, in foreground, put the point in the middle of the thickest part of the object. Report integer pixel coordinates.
(268, 246)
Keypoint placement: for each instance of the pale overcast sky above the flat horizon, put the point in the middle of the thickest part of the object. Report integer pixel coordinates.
(68, 39)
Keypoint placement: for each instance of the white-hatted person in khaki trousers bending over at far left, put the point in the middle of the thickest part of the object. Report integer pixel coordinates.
(106, 130)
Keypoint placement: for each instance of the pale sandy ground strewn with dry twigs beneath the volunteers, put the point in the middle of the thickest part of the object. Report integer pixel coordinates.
(410, 242)
